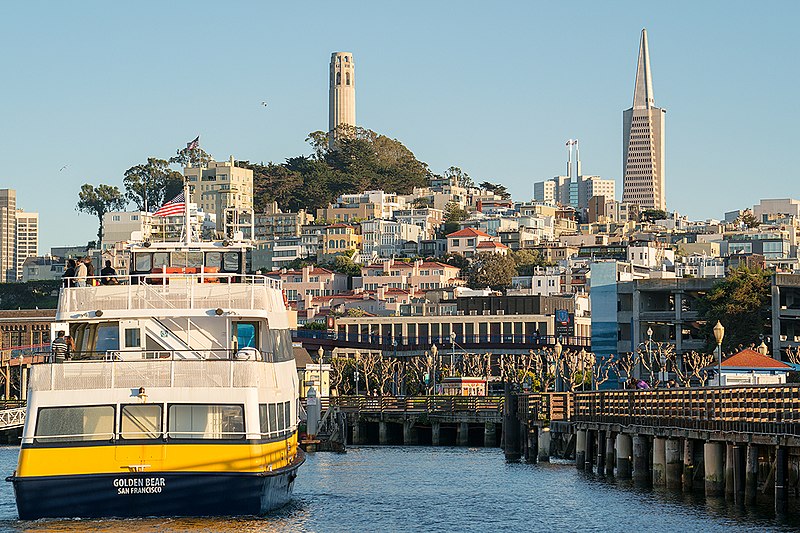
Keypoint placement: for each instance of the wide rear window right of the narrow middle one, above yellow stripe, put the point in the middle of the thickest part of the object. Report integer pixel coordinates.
(206, 421)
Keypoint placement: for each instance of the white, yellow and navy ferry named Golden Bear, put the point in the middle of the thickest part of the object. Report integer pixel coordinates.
(179, 399)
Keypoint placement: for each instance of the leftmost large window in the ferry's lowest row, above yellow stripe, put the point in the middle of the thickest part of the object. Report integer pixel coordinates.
(74, 424)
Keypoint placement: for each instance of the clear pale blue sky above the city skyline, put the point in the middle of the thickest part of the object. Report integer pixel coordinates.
(90, 89)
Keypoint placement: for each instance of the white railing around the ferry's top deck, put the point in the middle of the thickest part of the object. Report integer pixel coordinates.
(171, 291)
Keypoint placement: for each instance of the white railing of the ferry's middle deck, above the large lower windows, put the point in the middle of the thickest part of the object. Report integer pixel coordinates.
(88, 374)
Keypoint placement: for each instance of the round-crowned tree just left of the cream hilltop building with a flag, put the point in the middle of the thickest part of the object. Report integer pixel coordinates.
(151, 184)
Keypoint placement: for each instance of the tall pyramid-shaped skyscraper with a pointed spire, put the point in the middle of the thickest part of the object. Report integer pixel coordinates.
(643, 141)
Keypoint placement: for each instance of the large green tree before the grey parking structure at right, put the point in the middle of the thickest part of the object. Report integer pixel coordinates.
(741, 303)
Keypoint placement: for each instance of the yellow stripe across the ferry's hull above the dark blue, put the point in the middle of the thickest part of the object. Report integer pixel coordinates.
(252, 458)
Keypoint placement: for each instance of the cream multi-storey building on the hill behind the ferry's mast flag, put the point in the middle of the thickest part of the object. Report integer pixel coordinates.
(220, 187)
